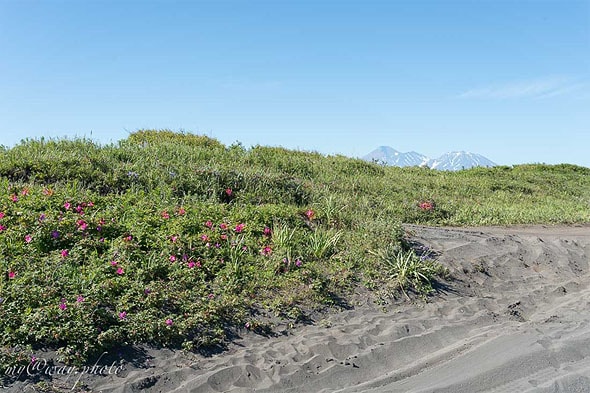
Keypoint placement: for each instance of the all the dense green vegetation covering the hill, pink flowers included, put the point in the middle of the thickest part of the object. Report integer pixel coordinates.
(176, 239)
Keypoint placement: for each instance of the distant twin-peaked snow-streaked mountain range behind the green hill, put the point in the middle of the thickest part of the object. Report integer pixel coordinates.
(452, 161)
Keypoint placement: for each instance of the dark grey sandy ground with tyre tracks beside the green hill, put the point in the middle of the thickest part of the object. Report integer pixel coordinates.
(515, 317)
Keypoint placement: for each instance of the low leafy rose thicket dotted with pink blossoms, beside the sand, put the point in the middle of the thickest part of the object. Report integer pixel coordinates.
(82, 272)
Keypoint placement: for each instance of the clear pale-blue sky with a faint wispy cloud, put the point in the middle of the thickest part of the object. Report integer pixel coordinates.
(506, 79)
